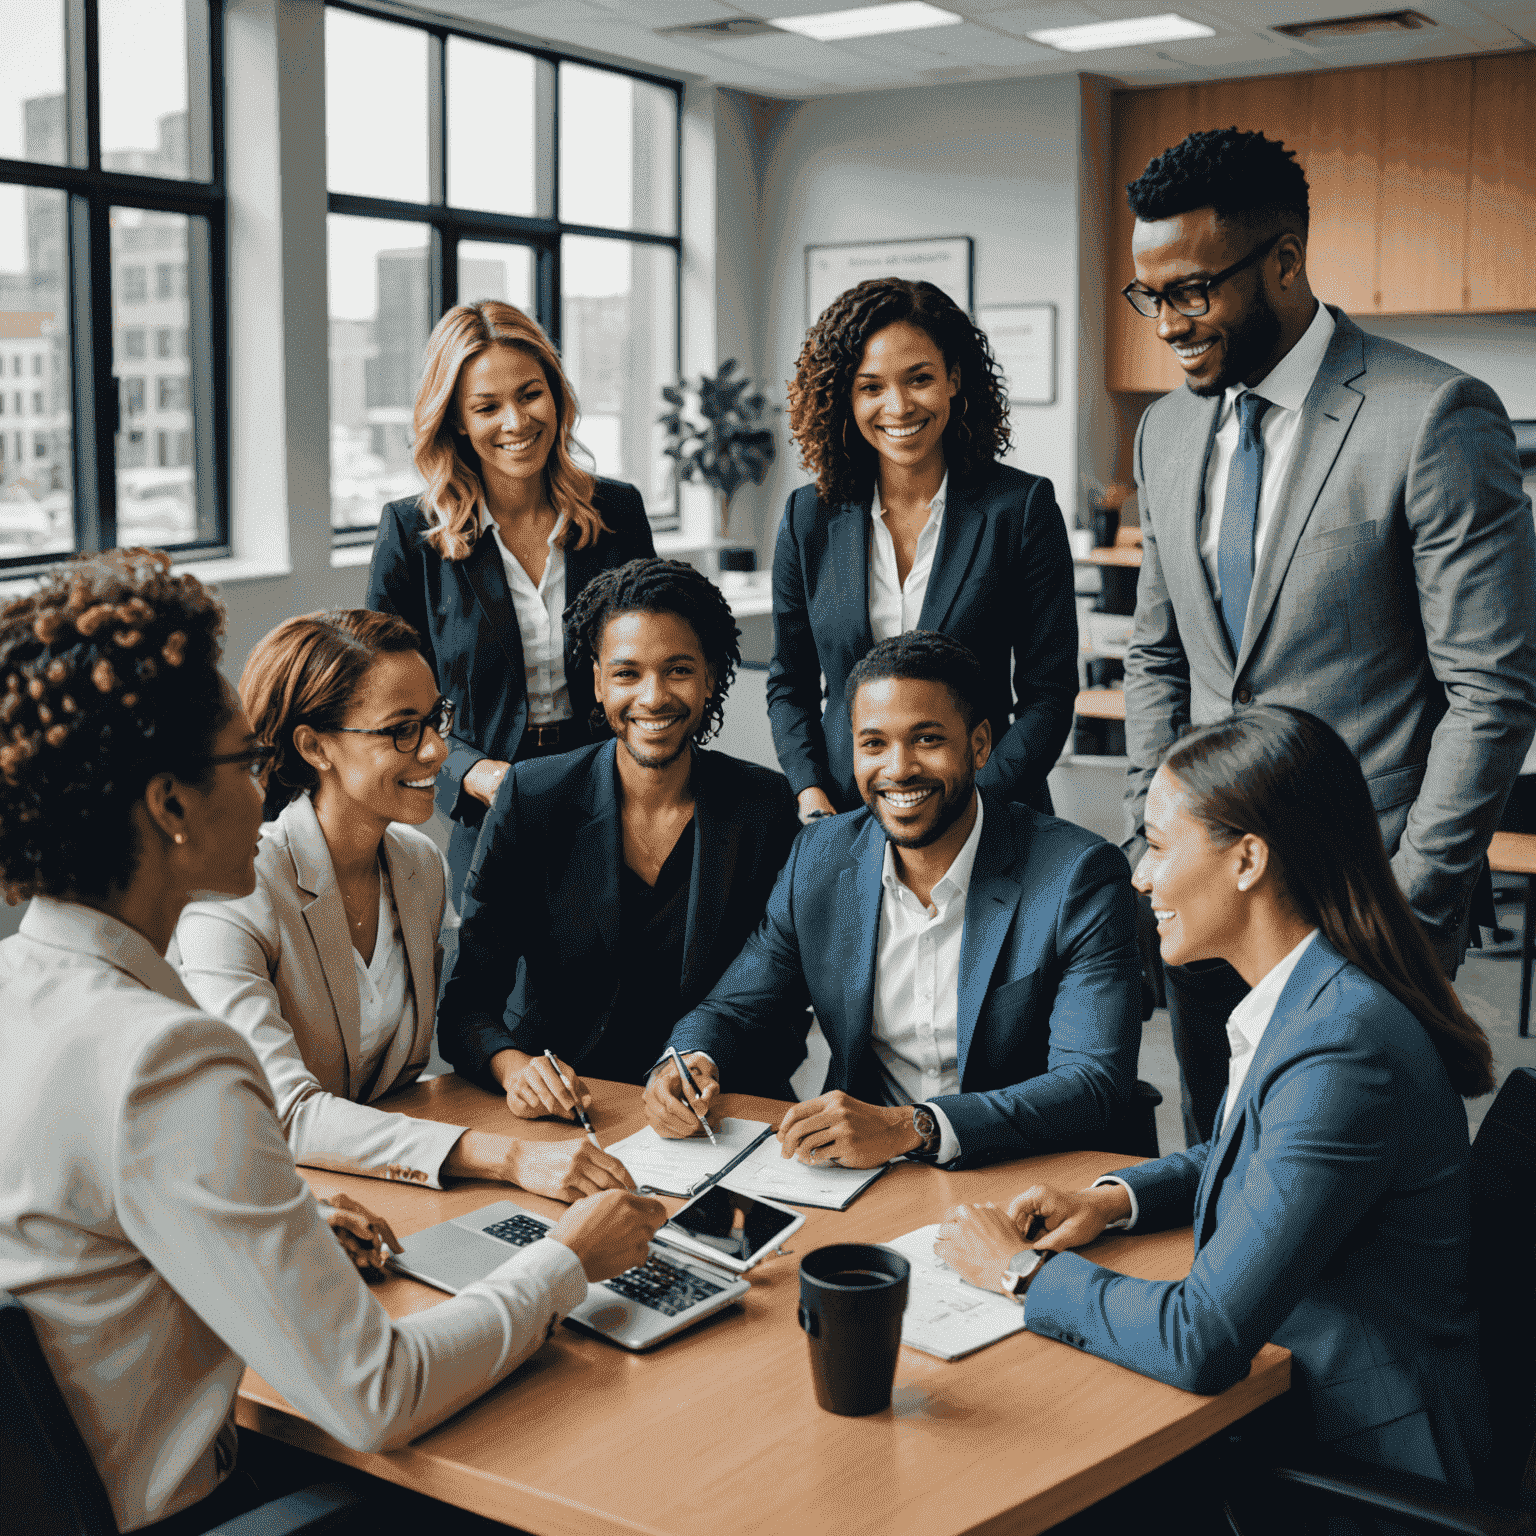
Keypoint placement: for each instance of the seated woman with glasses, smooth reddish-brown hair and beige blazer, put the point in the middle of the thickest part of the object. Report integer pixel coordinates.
(331, 967)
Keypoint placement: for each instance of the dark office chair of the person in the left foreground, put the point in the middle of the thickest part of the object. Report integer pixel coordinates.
(51, 1486)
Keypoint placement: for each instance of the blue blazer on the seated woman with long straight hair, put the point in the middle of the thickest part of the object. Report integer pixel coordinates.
(1332, 1217)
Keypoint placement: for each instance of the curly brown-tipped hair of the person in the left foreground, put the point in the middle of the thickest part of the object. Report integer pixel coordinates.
(111, 677)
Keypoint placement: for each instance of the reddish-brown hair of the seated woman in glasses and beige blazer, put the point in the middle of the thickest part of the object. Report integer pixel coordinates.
(308, 672)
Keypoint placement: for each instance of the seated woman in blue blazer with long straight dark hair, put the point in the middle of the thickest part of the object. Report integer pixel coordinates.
(1331, 1210)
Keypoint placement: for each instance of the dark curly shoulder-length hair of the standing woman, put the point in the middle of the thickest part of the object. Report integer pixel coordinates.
(823, 389)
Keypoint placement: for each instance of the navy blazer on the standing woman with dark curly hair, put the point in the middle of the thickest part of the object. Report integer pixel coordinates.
(1002, 584)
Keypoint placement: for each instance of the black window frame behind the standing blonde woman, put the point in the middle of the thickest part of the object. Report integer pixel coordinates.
(449, 225)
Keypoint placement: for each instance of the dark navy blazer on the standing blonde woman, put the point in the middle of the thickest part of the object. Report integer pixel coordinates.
(469, 634)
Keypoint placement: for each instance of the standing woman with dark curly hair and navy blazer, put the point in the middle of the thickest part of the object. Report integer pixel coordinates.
(915, 525)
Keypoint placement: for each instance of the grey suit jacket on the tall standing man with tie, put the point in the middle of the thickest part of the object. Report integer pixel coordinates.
(1395, 598)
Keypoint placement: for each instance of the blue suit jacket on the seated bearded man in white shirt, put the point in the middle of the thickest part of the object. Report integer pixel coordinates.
(1050, 979)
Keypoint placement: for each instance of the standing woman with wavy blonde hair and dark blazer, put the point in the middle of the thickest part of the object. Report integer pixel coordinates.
(485, 561)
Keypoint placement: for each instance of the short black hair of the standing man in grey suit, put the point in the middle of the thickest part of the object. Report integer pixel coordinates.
(1248, 179)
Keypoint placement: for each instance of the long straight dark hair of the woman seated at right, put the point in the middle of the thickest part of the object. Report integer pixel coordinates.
(1285, 776)
